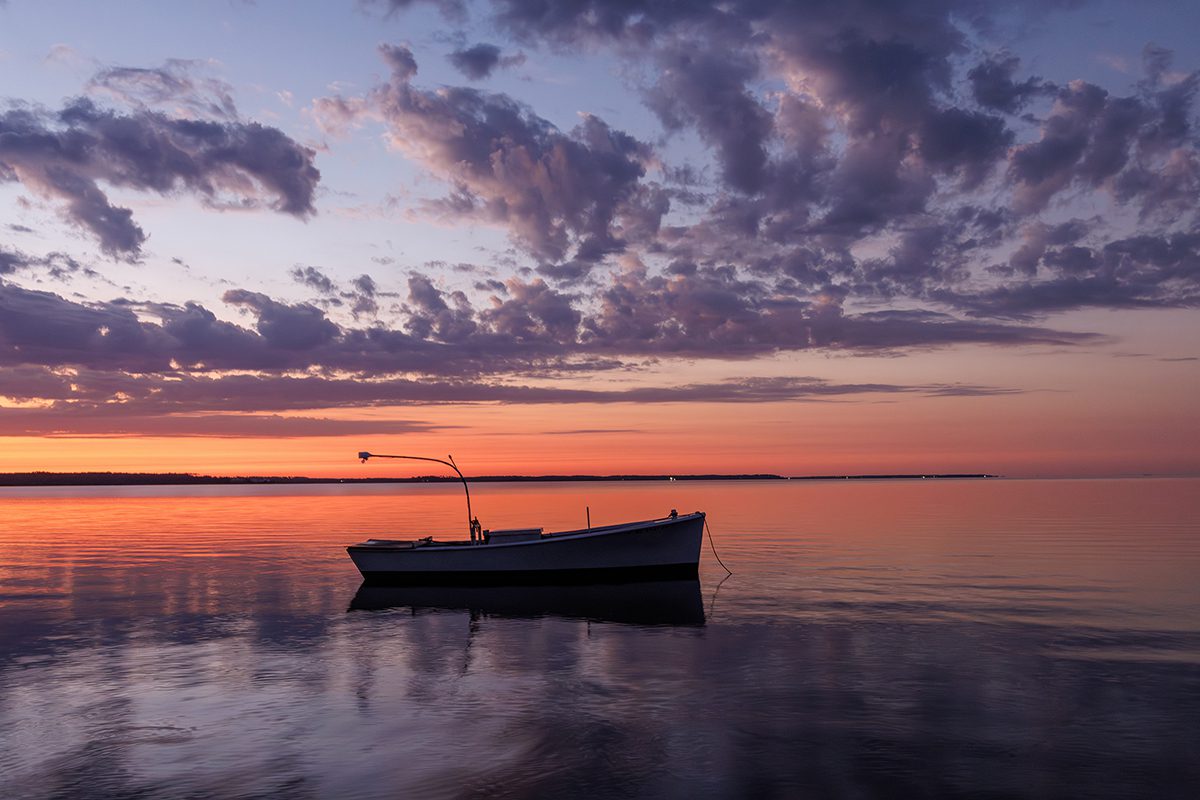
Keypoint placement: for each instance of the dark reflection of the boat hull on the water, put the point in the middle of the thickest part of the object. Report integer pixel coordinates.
(647, 603)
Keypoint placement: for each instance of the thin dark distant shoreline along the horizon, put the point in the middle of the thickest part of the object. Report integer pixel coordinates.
(188, 479)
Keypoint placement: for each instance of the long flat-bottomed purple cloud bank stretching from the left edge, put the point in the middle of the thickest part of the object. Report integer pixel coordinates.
(535, 329)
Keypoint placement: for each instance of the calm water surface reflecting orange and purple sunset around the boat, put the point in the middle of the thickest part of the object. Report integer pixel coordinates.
(994, 639)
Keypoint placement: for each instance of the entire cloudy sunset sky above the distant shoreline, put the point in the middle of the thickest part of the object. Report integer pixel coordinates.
(805, 238)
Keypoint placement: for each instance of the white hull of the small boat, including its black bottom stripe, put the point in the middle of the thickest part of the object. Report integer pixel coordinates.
(668, 548)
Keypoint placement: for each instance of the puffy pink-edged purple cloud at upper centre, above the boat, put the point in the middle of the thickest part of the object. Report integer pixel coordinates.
(555, 191)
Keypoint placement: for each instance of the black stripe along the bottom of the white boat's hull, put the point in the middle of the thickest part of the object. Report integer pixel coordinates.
(535, 578)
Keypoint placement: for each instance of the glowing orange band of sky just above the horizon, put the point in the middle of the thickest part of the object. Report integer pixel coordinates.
(1031, 435)
